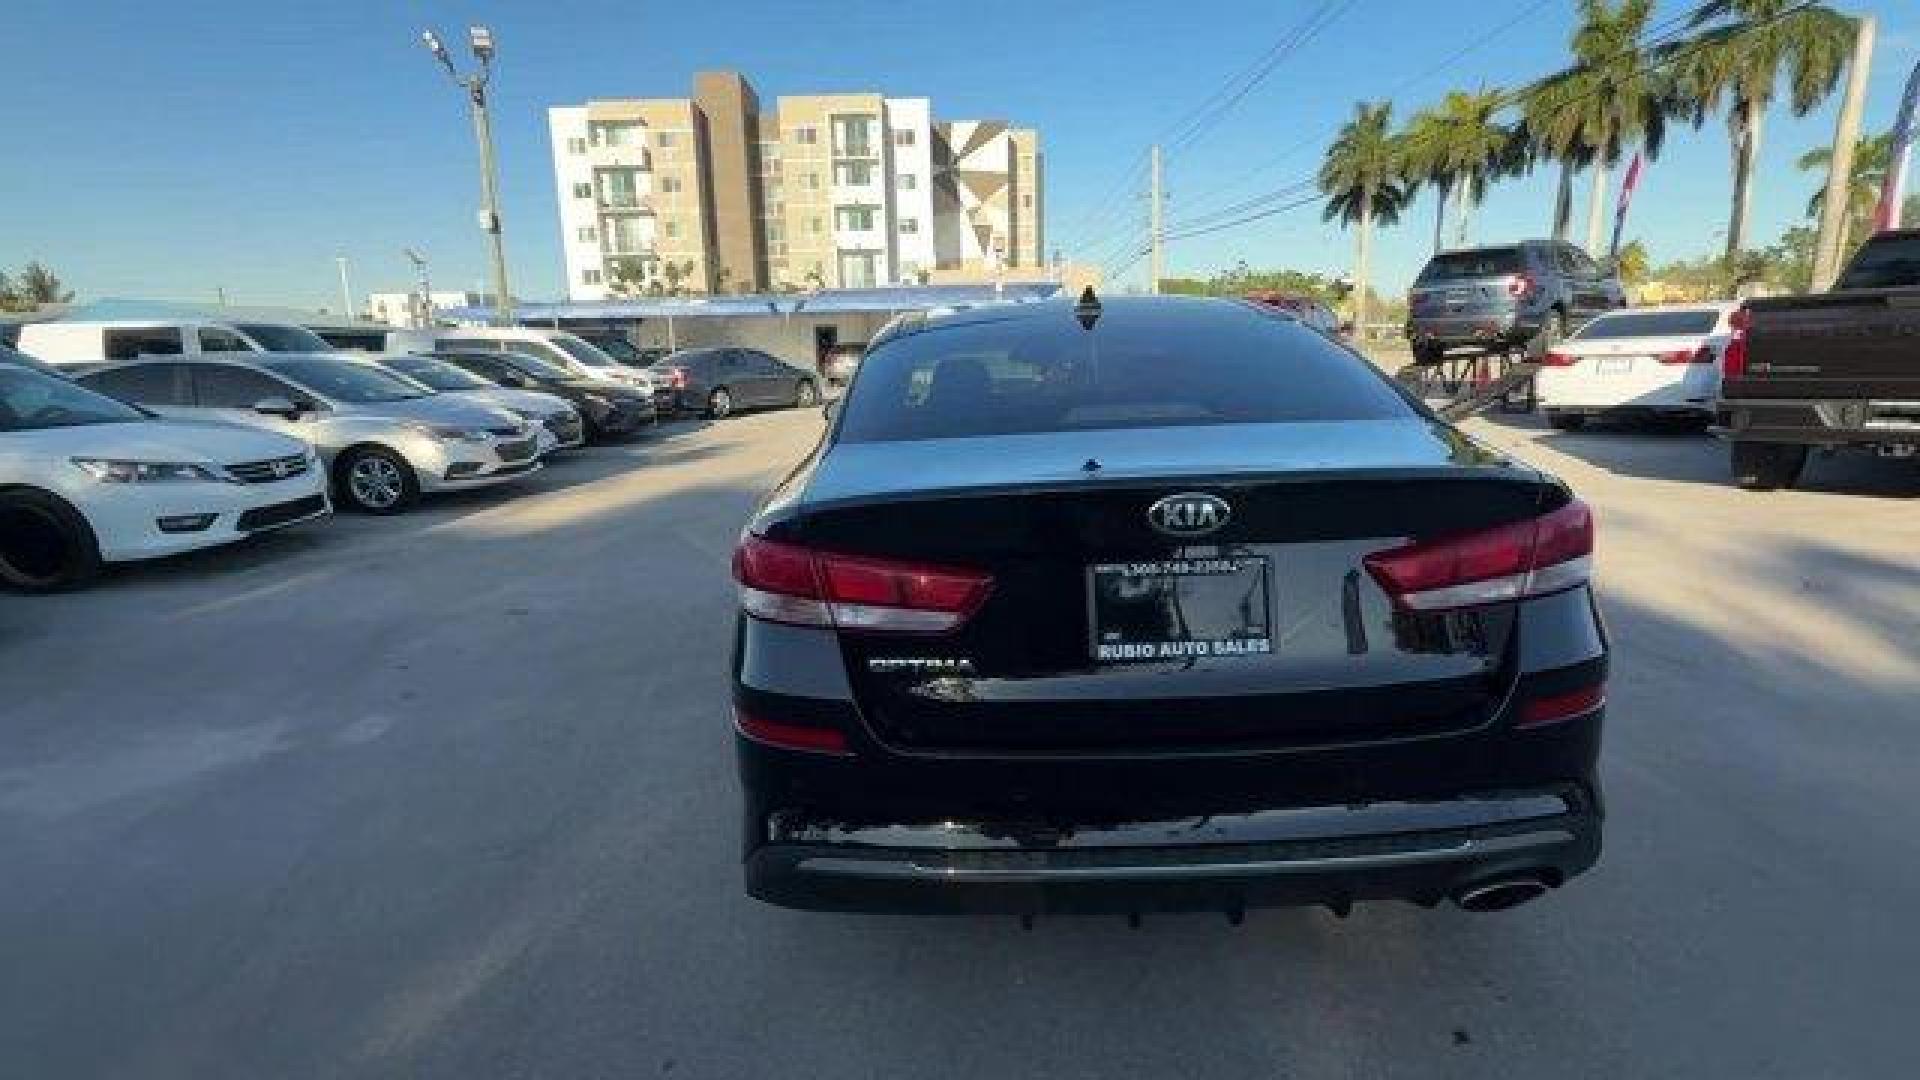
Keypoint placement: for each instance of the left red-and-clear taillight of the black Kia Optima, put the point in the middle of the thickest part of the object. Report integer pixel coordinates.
(786, 583)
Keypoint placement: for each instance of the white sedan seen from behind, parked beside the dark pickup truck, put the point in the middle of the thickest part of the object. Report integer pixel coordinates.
(1639, 364)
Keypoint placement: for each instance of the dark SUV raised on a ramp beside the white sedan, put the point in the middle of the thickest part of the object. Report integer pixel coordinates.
(1508, 297)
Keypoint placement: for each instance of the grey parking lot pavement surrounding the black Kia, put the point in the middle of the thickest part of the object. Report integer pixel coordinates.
(452, 797)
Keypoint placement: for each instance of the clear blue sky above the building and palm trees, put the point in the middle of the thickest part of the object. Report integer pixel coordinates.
(166, 151)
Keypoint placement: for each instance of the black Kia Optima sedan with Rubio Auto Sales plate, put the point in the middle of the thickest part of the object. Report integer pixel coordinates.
(1159, 604)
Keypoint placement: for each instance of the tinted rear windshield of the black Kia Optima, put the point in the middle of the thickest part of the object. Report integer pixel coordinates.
(1195, 366)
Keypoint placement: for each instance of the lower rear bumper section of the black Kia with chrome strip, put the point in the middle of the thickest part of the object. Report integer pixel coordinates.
(1303, 856)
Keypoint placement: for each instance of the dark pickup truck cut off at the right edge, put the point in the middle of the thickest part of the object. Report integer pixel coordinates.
(1833, 370)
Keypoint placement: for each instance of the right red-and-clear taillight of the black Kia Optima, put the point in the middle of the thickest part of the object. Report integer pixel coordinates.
(1491, 566)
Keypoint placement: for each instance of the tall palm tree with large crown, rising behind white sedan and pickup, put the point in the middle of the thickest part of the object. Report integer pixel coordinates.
(1740, 59)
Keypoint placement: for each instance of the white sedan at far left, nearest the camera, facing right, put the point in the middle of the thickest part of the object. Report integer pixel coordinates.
(89, 481)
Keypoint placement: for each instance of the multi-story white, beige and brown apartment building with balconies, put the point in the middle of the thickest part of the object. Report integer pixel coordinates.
(827, 191)
